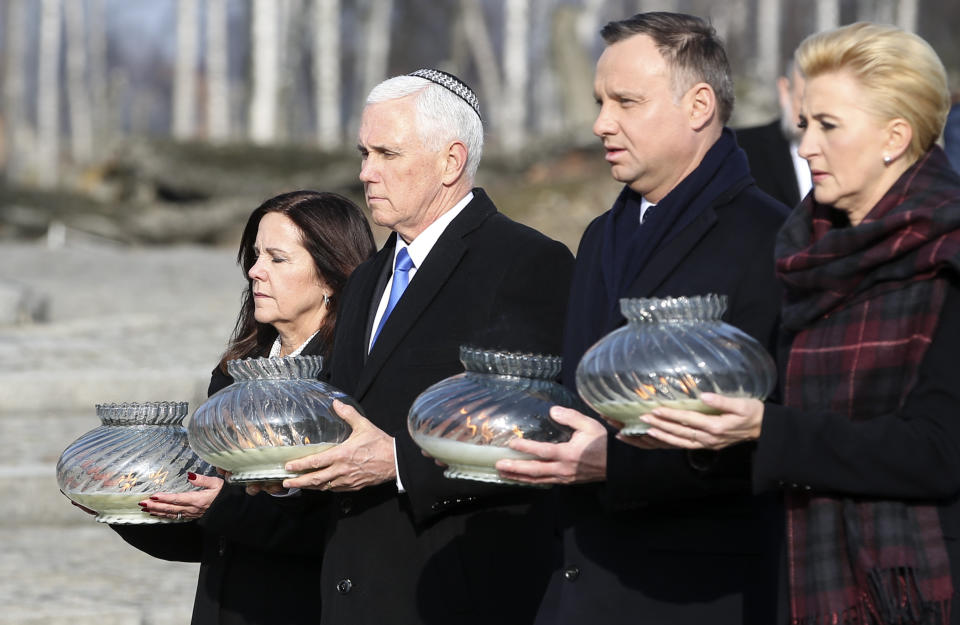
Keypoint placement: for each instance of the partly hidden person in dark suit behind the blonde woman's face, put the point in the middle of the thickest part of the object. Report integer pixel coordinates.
(772, 148)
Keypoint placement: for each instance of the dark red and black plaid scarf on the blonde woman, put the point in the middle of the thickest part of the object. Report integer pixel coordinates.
(863, 303)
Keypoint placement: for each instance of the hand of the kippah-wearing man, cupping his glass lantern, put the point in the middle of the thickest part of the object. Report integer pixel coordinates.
(365, 459)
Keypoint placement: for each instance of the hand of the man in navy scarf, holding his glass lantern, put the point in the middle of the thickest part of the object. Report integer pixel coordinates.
(581, 459)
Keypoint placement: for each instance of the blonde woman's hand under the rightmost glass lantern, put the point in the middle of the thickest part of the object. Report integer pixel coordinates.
(739, 420)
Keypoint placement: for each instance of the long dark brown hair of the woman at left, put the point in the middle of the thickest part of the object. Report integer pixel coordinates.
(334, 232)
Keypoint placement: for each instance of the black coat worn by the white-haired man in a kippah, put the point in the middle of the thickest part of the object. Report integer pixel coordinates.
(444, 551)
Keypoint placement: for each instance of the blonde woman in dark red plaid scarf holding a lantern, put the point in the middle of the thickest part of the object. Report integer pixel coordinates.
(866, 443)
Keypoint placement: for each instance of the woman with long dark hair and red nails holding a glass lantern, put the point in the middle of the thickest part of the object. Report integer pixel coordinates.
(297, 251)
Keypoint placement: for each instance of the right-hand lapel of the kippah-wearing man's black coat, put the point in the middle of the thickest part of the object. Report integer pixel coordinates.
(437, 270)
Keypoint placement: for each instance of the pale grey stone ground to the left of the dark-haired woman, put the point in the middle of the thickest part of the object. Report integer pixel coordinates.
(124, 324)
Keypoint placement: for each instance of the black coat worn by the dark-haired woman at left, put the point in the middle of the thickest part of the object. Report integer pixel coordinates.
(257, 554)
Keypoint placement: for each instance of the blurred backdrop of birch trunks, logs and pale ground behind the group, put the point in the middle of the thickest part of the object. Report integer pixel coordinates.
(137, 135)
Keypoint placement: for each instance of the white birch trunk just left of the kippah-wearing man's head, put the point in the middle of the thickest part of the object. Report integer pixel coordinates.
(326, 72)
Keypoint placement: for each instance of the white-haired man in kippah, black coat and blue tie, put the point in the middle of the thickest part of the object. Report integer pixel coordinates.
(402, 543)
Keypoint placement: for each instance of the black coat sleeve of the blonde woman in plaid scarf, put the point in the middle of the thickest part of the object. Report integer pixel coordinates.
(913, 453)
